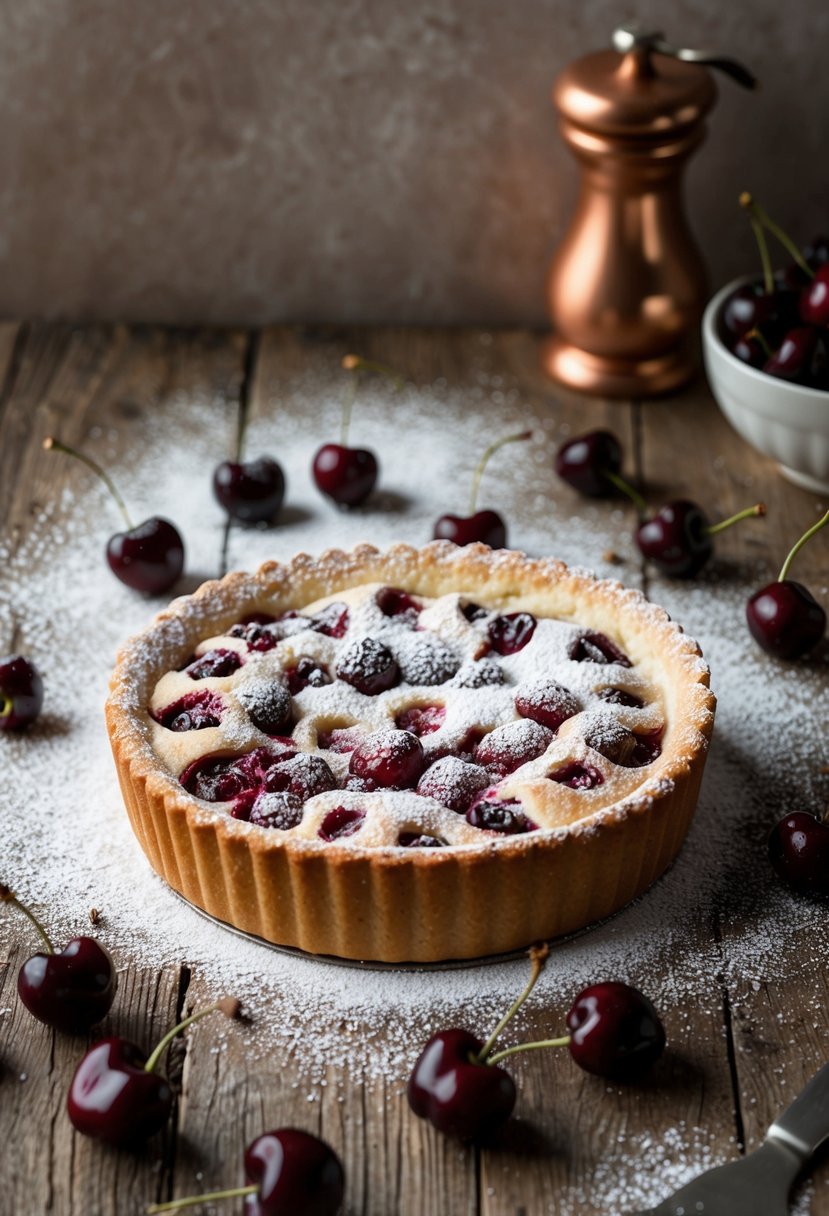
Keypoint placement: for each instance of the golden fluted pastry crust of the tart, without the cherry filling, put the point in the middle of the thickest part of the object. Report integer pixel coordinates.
(390, 904)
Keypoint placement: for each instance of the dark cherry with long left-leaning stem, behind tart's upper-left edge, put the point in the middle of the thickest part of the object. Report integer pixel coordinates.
(149, 556)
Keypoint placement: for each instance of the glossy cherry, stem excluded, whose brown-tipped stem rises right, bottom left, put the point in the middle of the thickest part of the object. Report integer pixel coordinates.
(115, 1100)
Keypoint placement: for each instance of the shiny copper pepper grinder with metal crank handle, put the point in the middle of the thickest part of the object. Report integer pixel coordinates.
(627, 286)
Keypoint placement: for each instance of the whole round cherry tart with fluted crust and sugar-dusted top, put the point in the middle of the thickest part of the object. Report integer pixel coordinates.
(416, 728)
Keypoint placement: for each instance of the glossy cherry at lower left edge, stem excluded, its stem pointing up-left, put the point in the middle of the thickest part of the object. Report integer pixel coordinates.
(72, 990)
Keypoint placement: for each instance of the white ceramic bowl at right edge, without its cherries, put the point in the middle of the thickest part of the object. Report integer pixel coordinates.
(788, 423)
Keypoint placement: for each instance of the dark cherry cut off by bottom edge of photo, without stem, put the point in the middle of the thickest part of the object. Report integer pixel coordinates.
(296, 1174)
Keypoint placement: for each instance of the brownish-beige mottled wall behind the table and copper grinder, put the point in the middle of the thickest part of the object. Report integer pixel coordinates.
(249, 161)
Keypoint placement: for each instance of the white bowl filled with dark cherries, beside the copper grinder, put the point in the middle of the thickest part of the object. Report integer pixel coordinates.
(766, 350)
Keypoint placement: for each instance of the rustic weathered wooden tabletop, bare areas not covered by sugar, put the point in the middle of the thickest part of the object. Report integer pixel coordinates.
(736, 1060)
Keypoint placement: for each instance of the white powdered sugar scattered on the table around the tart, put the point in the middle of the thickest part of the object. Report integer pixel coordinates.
(67, 845)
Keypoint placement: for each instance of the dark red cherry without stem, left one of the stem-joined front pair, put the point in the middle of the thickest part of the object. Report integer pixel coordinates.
(459, 1097)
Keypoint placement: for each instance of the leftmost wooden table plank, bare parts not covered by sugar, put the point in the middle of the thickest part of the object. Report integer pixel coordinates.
(103, 390)
